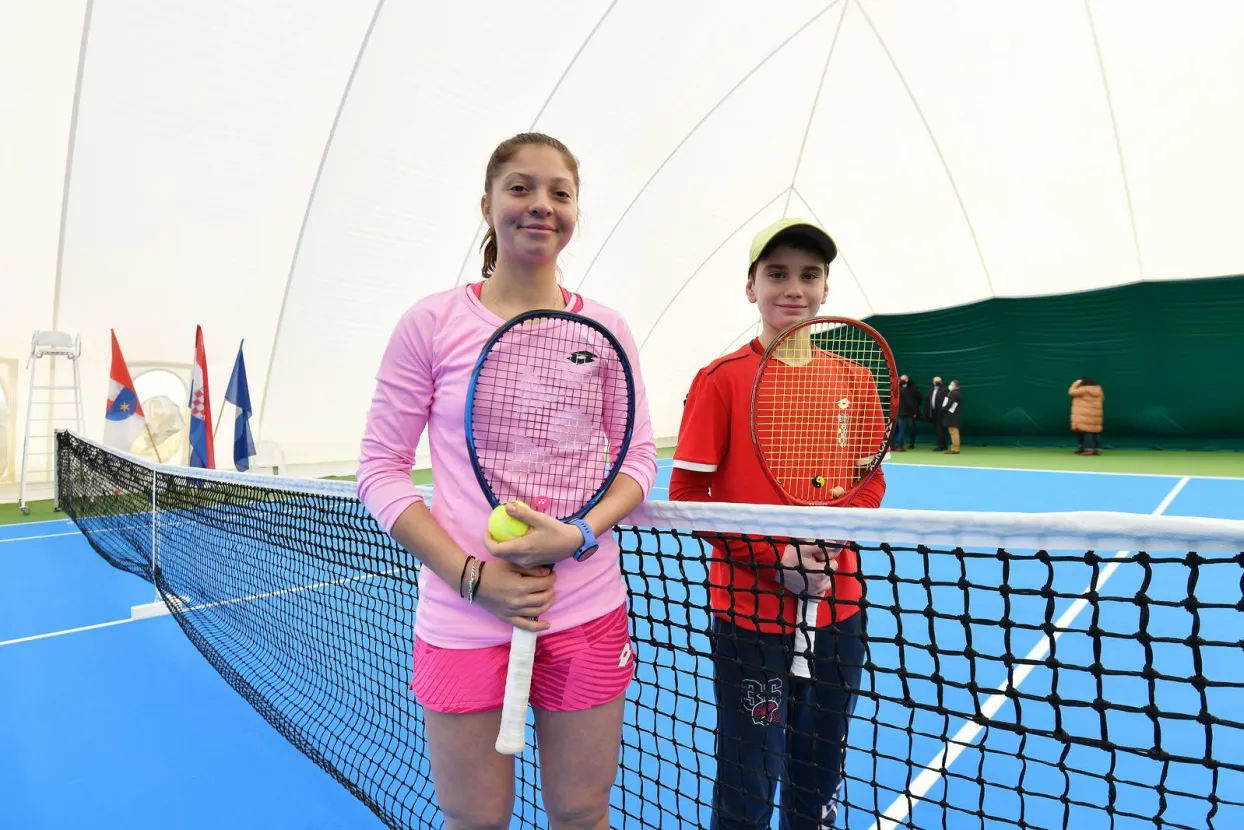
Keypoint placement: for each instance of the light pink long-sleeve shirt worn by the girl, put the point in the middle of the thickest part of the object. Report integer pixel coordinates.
(422, 383)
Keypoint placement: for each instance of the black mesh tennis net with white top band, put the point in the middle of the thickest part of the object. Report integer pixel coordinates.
(1019, 670)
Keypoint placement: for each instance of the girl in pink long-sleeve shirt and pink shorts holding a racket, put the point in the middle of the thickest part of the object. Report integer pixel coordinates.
(584, 656)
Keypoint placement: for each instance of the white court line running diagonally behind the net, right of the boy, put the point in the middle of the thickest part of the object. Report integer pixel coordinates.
(904, 806)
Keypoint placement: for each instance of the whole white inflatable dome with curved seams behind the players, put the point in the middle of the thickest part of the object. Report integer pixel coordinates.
(297, 174)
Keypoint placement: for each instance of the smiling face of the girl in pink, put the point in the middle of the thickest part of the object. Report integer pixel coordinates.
(533, 206)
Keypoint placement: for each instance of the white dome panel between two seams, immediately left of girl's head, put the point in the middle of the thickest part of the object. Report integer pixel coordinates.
(399, 200)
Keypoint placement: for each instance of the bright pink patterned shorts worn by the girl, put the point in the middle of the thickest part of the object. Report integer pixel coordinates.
(575, 670)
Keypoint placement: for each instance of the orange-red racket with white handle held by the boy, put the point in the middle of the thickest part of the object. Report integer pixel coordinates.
(823, 411)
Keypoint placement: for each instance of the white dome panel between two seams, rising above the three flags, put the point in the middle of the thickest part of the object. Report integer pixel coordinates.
(198, 134)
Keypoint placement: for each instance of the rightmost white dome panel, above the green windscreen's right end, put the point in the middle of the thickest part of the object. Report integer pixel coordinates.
(1177, 86)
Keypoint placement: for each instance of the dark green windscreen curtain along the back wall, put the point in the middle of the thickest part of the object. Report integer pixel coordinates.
(1170, 357)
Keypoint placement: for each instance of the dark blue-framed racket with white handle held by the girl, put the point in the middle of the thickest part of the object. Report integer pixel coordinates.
(550, 411)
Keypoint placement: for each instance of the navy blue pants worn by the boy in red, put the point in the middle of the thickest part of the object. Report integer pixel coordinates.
(776, 727)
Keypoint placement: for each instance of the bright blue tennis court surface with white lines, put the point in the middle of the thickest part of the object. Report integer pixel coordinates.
(111, 724)
